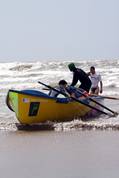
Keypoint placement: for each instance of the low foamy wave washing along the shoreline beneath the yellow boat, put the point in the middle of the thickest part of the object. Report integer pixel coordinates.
(104, 123)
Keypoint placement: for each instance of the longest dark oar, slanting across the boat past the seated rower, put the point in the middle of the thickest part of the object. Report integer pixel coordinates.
(79, 101)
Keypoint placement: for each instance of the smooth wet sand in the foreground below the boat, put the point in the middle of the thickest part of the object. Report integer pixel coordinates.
(59, 154)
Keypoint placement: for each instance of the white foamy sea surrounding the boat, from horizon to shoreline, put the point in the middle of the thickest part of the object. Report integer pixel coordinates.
(25, 75)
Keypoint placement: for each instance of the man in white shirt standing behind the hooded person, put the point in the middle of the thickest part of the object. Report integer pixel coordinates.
(96, 80)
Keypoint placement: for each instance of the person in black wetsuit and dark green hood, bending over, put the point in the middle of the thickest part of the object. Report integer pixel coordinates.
(80, 75)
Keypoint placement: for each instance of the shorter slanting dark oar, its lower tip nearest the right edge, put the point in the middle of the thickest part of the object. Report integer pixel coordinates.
(115, 113)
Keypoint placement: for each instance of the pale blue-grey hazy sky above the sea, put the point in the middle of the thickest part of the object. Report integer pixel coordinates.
(59, 29)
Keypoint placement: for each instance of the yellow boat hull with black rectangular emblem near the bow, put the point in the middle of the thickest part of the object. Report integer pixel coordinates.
(32, 108)
